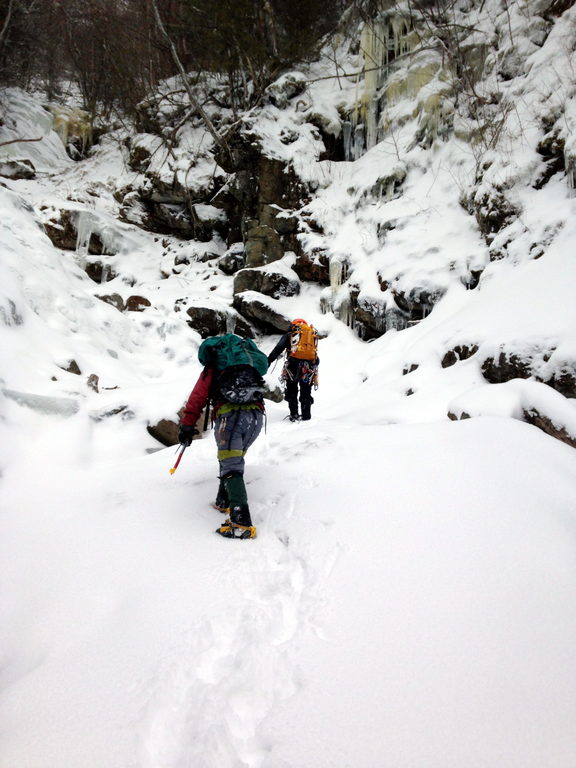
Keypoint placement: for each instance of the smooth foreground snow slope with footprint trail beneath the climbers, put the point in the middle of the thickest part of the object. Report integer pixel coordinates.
(408, 601)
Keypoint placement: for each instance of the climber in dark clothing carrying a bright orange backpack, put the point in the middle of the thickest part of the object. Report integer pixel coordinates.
(300, 371)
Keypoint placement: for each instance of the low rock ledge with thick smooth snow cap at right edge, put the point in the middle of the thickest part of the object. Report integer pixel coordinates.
(528, 401)
